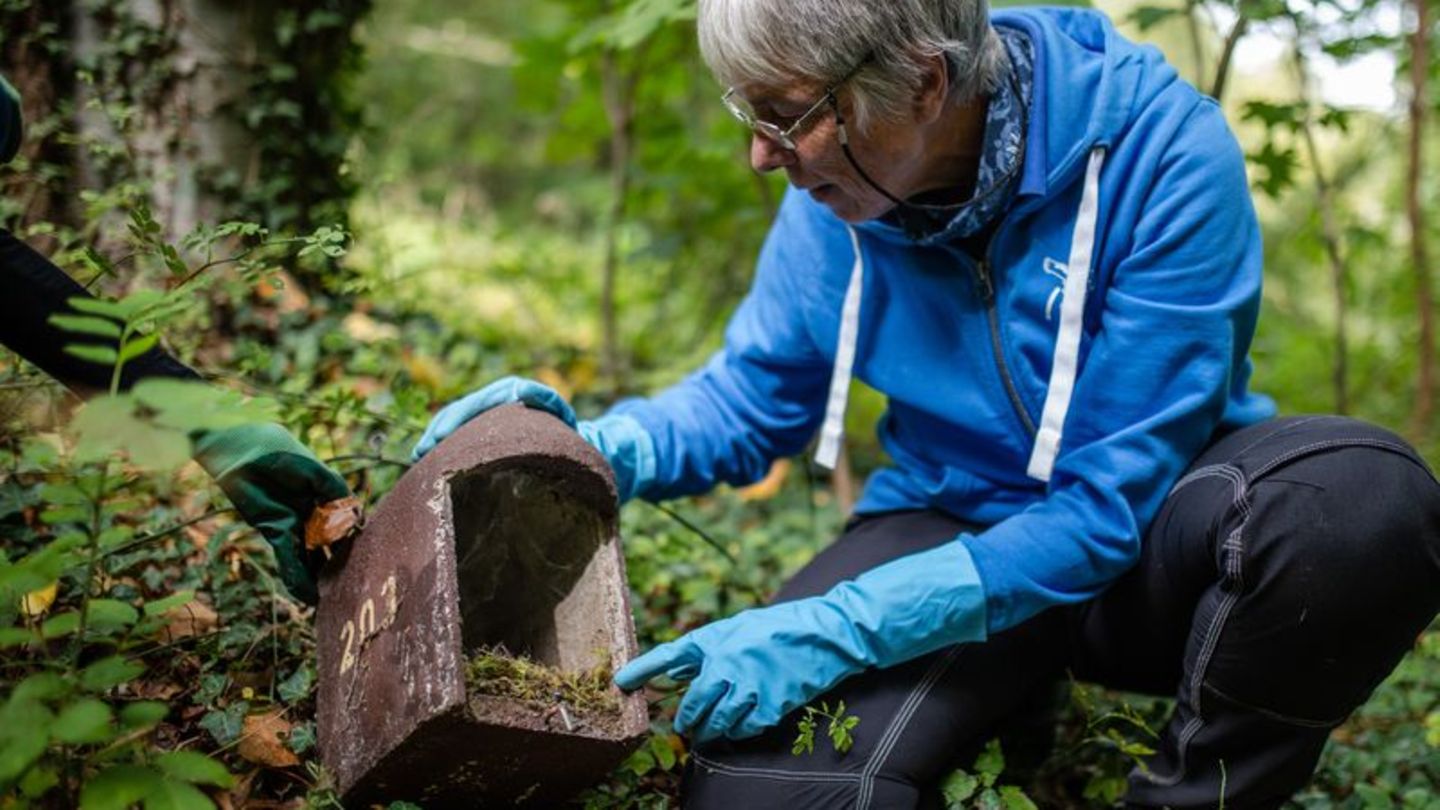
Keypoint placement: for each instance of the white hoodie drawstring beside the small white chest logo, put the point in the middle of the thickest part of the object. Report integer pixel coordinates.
(1072, 319)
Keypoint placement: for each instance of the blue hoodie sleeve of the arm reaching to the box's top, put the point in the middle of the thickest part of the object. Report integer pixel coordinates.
(762, 396)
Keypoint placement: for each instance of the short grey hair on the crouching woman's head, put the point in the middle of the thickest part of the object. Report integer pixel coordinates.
(778, 43)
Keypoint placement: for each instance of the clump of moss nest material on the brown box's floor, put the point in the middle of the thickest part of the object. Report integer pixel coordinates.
(493, 671)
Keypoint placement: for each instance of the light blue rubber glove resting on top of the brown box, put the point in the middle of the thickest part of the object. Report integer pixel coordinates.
(621, 440)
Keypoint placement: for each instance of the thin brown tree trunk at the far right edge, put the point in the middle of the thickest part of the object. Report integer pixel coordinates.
(1419, 259)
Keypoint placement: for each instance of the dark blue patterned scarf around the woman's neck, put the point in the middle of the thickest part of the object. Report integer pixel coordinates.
(1002, 155)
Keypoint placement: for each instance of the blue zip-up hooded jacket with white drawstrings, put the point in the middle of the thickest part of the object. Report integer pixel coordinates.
(1055, 391)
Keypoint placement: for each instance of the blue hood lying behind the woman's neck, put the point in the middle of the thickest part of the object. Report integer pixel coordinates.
(1107, 83)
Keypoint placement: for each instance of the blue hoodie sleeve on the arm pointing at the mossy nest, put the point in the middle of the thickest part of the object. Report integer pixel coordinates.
(1170, 354)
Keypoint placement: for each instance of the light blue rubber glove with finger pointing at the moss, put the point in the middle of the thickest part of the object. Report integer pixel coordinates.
(752, 669)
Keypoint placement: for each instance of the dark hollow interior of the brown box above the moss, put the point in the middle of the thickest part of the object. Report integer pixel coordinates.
(531, 580)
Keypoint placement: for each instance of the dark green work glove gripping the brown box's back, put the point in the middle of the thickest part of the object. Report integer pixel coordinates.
(274, 484)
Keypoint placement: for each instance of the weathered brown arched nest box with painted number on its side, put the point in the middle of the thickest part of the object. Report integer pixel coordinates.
(506, 534)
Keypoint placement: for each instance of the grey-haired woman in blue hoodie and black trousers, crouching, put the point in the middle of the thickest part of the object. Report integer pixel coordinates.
(1039, 244)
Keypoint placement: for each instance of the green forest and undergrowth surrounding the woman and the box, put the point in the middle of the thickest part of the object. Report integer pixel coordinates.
(358, 211)
